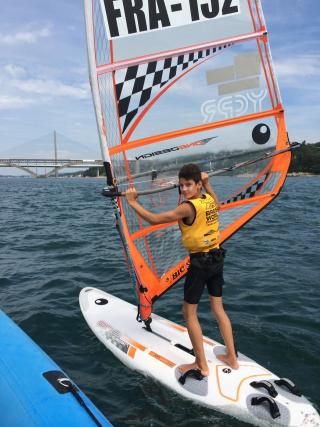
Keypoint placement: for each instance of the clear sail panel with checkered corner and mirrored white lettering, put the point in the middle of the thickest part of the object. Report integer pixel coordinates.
(189, 90)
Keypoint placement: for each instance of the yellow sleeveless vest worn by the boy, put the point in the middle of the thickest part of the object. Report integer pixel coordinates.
(203, 234)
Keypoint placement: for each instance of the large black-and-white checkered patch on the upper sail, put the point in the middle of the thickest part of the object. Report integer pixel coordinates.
(135, 85)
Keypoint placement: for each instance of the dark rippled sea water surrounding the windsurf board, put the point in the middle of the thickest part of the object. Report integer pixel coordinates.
(58, 236)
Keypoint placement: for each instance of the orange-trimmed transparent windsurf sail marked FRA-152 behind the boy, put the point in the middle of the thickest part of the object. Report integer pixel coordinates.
(176, 82)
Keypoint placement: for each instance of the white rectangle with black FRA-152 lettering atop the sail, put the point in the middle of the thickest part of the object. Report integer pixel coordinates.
(127, 17)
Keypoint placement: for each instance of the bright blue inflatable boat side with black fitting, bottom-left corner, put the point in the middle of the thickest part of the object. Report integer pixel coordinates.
(34, 392)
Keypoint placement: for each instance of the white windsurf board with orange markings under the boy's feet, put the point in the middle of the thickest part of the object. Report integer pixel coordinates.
(155, 354)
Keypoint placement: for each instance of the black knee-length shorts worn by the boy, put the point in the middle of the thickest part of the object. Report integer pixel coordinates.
(206, 269)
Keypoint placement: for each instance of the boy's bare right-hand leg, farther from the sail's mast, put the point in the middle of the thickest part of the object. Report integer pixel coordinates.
(226, 331)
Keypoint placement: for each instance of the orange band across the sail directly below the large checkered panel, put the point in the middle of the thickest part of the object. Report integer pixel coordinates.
(195, 129)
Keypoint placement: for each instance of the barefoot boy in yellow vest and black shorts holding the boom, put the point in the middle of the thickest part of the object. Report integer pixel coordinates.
(197, 217)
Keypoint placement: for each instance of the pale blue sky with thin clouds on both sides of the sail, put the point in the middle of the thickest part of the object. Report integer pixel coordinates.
(44, 78)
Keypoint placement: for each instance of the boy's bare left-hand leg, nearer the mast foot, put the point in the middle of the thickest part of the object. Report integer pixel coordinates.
(195, 334)
